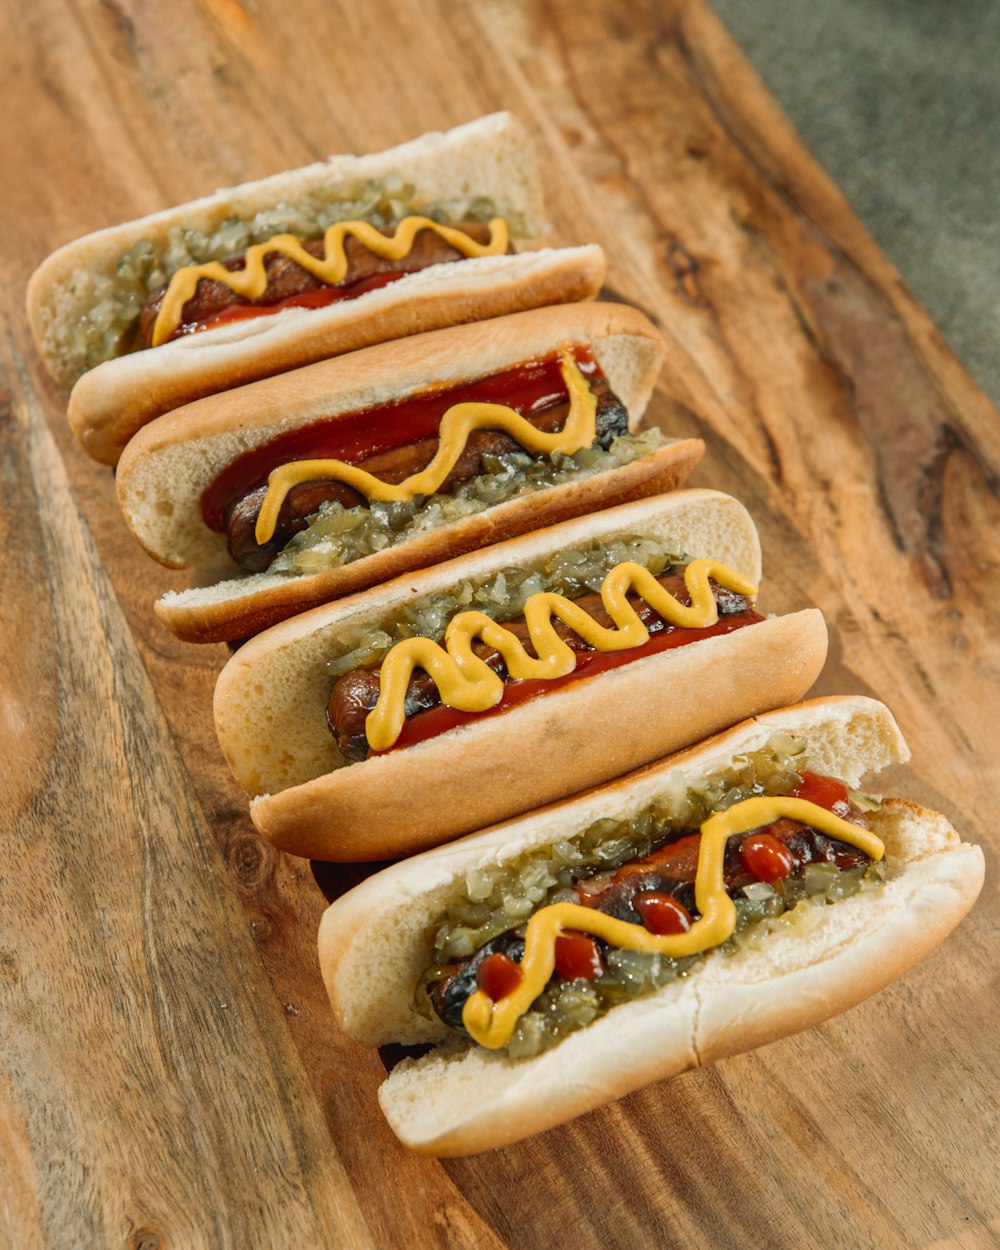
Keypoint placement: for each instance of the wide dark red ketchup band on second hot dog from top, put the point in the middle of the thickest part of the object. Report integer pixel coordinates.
(356, 437)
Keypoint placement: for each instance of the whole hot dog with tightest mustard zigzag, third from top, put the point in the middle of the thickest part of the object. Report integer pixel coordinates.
(658, 664)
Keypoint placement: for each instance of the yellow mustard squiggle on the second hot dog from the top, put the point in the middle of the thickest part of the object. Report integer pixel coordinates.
(457, 424)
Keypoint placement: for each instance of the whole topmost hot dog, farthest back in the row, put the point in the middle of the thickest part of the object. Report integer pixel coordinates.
(263, 278)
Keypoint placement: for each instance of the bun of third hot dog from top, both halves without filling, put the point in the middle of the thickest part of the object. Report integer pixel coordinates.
(272, 698)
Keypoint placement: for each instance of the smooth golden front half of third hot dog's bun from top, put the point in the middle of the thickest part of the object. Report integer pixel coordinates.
(587, 733)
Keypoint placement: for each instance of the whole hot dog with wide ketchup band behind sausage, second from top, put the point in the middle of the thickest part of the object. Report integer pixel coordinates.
(412, 452)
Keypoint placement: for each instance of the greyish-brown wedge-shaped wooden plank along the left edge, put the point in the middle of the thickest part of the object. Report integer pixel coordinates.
(139, 1032)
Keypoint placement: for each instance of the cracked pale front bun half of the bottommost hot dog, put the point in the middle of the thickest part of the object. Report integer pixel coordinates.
(801, 981)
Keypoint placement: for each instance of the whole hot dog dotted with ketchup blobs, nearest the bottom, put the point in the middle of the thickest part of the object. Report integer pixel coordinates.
(703, 907)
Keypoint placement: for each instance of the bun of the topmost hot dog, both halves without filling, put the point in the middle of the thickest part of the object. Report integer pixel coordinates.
(493, 158)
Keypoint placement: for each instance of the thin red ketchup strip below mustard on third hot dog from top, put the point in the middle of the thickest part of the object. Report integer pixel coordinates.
(439, 721)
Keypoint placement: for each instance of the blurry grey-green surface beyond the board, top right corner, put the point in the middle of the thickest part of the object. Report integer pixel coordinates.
(901, 102)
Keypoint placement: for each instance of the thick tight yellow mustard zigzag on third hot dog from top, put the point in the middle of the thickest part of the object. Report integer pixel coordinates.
(467, 683)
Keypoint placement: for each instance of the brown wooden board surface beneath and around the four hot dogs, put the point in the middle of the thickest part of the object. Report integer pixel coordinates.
(172, 1077)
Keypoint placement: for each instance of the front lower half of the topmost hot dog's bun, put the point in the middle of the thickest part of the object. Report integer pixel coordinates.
(113, 402)
